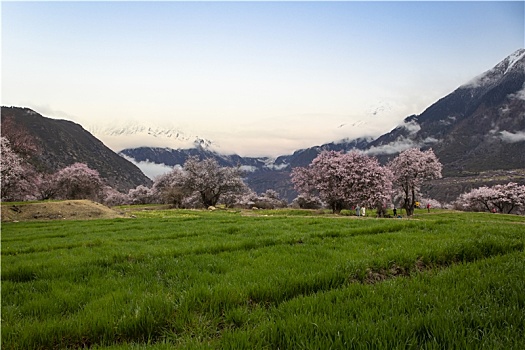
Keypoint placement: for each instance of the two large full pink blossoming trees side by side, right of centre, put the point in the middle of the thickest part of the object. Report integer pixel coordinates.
(355, 179)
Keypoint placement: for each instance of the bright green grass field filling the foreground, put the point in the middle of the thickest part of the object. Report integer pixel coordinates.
(286, 279)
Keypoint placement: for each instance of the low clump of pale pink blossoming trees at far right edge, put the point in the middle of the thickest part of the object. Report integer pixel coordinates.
(505, 198)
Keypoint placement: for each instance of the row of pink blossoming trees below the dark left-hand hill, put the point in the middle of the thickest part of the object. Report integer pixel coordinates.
(196, 184)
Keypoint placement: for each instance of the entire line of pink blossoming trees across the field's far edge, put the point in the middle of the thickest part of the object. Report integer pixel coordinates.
(334, 180)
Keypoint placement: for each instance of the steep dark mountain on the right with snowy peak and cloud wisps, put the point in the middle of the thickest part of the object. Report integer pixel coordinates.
(477, 127)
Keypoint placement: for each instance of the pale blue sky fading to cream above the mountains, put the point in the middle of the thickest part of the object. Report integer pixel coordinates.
(258, 78)
